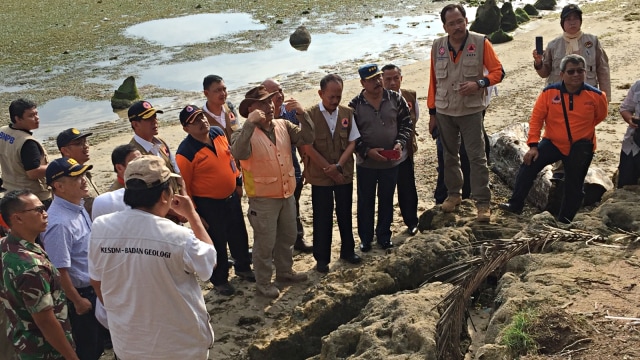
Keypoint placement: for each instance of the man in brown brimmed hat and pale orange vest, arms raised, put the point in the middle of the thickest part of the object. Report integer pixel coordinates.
(263, 146)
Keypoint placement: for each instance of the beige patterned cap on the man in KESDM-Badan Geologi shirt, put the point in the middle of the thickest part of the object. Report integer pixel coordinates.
(150, 169)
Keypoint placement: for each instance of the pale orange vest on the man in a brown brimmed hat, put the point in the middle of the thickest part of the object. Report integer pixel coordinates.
(269, 172)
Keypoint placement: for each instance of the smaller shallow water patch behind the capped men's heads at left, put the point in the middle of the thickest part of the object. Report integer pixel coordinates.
(65, 112)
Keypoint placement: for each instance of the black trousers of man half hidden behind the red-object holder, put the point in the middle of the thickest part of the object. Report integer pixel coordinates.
(407, 193)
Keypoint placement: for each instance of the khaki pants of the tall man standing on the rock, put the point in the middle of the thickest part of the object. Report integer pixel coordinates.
(470, 128)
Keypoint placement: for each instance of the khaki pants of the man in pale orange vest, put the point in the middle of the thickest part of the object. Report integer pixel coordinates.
(274, 233)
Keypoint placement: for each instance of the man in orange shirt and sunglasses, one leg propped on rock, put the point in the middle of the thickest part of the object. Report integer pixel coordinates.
(569, 112)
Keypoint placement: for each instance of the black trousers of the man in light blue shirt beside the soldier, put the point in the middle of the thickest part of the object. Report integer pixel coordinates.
(87, 332)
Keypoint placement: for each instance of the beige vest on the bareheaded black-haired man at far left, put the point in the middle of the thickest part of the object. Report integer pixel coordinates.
(14, 176)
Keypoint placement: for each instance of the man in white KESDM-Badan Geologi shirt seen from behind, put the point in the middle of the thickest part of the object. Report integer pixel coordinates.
(143, 268)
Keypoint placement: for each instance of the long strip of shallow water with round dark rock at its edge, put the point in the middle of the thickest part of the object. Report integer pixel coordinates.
(345, 43)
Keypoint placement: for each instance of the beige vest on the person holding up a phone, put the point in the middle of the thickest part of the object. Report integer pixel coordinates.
(587, 49)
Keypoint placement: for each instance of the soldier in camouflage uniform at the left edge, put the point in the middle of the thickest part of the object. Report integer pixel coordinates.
(31, 291)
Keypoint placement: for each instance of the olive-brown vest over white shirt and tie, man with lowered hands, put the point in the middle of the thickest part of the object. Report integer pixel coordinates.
(330, 147)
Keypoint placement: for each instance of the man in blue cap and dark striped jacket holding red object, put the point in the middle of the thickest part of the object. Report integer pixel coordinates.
(383, 119)
